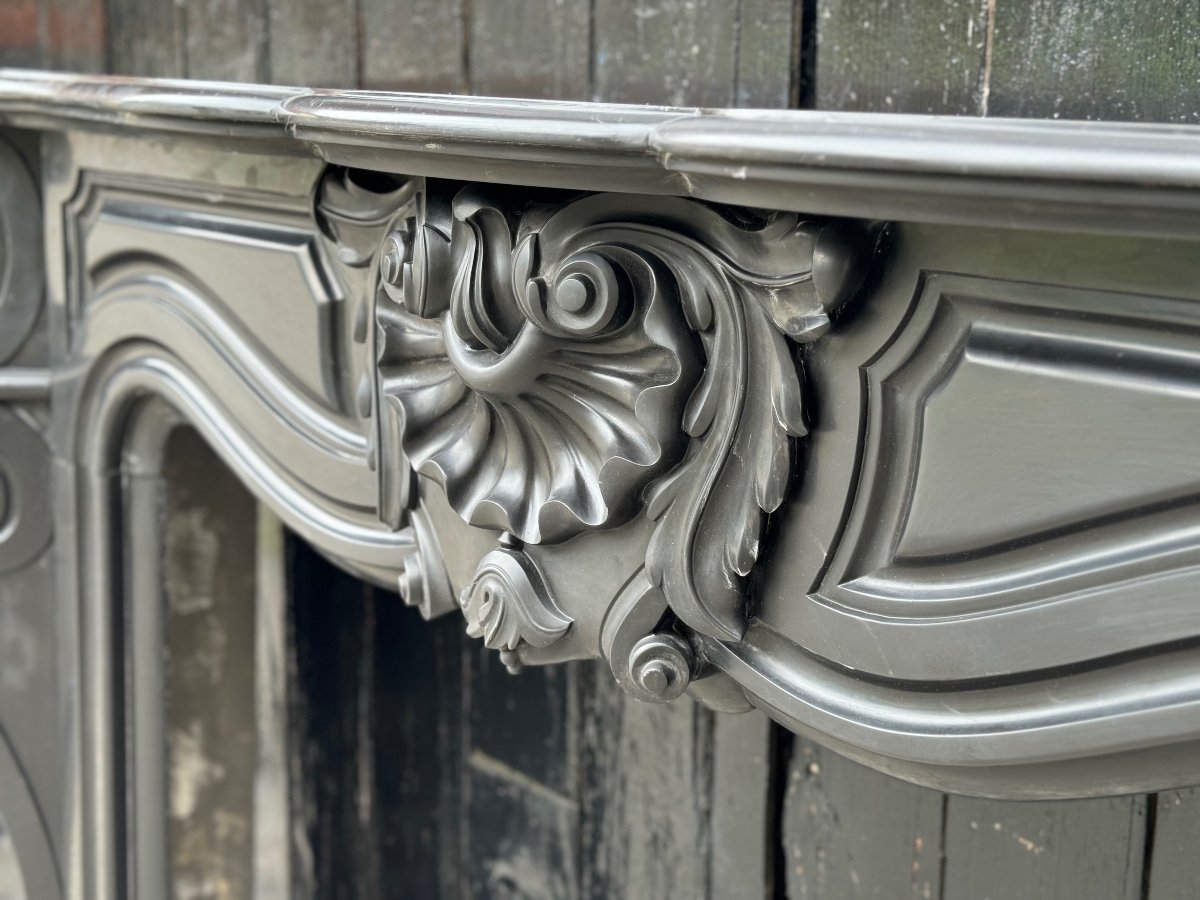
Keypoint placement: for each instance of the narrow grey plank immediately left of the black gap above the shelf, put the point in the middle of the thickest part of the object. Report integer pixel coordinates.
(767, 35)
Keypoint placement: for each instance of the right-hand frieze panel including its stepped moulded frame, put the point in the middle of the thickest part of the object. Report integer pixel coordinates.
(974, 519)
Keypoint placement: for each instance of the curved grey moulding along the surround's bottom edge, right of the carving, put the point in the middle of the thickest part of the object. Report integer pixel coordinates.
(1029, 743)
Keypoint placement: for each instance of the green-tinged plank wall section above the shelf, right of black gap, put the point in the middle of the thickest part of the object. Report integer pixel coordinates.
(1064, 59)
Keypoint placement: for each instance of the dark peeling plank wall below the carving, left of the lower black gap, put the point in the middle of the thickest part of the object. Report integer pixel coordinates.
(424, 770)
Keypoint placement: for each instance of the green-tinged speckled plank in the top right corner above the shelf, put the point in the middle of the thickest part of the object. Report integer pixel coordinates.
(1097, 59)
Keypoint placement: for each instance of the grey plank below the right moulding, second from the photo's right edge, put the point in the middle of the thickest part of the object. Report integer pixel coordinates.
(1085, 849)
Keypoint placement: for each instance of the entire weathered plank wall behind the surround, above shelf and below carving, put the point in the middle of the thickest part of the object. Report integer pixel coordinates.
(554, 784)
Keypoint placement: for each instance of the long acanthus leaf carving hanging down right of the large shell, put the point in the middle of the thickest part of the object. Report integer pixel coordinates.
(747, 410)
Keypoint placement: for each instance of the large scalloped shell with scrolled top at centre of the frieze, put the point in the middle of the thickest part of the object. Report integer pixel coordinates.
(536, 391)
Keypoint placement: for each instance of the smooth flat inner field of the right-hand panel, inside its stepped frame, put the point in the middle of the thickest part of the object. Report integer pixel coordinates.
(1052, 423)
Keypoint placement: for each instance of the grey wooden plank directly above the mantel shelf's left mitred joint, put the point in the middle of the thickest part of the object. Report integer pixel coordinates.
(314, 43)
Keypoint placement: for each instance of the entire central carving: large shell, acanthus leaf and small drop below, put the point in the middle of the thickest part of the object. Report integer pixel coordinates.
(562, 365)
